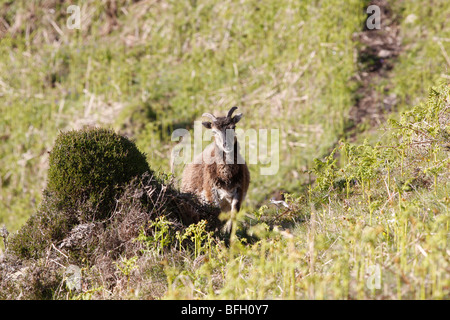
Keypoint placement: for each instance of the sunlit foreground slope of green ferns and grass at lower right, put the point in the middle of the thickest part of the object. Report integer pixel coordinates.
(382, 236)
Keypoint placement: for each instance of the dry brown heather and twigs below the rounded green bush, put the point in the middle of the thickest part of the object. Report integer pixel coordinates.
(40, 253)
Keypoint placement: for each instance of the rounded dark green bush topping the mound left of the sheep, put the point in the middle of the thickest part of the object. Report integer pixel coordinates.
(92, 165)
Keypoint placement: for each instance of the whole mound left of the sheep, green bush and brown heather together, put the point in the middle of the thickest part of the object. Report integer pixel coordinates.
(101, 195)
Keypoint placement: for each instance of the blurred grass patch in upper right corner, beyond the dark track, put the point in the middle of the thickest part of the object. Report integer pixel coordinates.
(426, 43)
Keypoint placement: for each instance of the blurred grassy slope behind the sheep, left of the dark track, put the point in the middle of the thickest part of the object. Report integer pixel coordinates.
(162, 68)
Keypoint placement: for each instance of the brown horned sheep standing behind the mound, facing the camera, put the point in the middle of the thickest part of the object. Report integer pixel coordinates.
(219, 175)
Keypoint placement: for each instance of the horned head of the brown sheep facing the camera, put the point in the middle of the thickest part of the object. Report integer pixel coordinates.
(223, 129)
